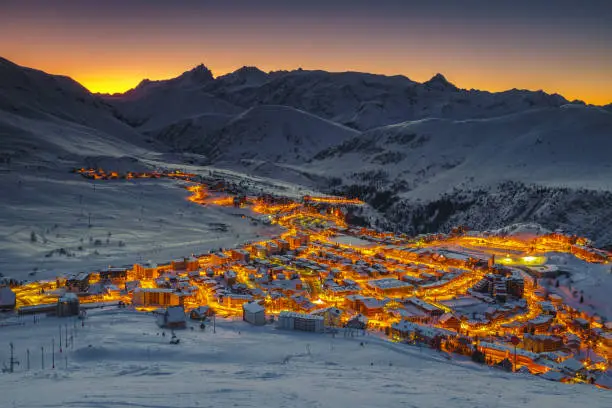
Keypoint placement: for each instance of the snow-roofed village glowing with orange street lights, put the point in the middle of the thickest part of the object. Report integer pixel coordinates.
(474, 294)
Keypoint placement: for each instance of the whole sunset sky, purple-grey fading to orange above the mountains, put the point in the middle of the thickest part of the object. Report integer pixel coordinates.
(109, 46)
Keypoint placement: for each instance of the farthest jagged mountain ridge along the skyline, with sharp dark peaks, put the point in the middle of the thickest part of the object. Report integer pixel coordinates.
(359, 100)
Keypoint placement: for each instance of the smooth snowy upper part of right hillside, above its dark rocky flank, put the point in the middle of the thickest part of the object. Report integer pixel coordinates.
(556, 146)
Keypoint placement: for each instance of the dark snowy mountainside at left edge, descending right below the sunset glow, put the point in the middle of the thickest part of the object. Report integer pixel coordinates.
(45, 117)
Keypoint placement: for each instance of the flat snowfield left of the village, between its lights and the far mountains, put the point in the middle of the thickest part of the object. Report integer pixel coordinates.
(54, 222)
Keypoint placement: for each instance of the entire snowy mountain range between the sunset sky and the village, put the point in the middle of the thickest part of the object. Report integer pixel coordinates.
(425, 155)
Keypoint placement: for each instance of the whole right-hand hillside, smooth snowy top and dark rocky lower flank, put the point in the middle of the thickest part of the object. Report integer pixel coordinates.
(548, 166)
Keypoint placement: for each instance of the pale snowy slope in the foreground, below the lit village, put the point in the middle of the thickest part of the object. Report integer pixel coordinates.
(120, 359)
